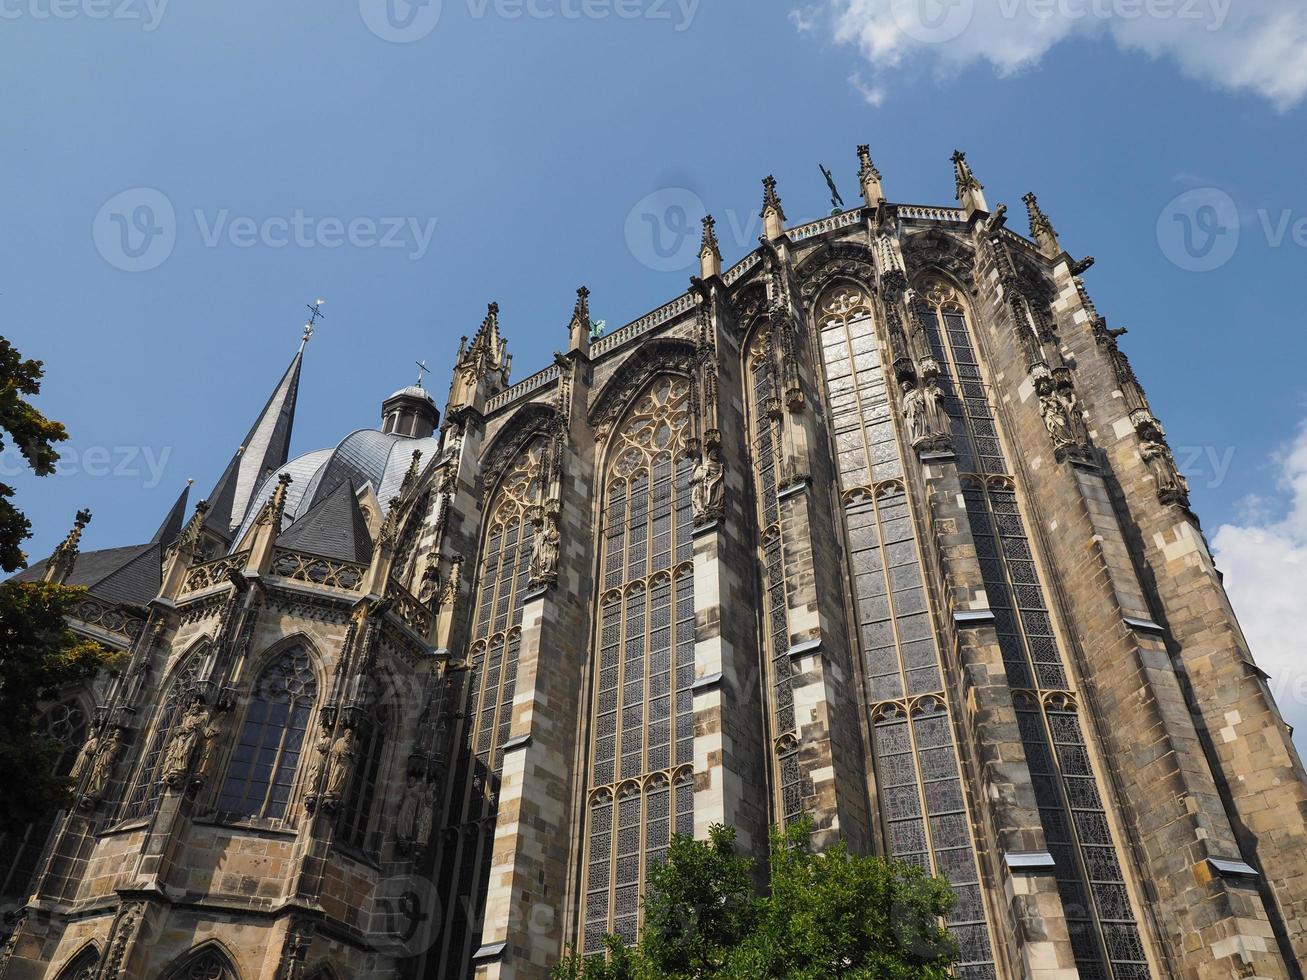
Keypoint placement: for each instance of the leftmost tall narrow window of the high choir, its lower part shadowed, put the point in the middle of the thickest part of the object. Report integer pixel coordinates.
(486, 711)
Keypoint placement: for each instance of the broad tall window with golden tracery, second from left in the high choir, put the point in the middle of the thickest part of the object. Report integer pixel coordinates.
(640, 785)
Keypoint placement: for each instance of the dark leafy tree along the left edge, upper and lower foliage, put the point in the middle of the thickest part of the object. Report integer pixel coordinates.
(39, 653)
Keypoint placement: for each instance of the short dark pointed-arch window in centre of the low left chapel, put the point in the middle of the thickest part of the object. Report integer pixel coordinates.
(262, 773)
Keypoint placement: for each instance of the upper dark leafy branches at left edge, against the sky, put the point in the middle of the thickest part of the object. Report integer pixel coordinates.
(35, 436)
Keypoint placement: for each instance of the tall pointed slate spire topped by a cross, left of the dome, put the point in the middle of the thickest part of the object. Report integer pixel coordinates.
(266, 449)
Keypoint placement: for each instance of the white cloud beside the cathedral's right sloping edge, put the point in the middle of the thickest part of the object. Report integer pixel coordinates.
(1265, 560)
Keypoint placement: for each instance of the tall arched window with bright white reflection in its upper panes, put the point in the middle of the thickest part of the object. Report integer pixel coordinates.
(922, 800)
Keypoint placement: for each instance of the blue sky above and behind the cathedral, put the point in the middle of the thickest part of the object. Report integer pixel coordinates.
(522, 140)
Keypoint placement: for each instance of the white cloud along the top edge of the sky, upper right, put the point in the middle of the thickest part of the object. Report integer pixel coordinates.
(1257, 46)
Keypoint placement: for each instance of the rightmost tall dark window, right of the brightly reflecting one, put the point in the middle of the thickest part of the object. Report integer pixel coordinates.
(1104, 932)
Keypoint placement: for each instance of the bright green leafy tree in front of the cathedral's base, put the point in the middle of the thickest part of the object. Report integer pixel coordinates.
(825, 915)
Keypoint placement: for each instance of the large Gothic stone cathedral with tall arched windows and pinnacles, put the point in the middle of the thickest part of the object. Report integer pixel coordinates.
(876, 526)
